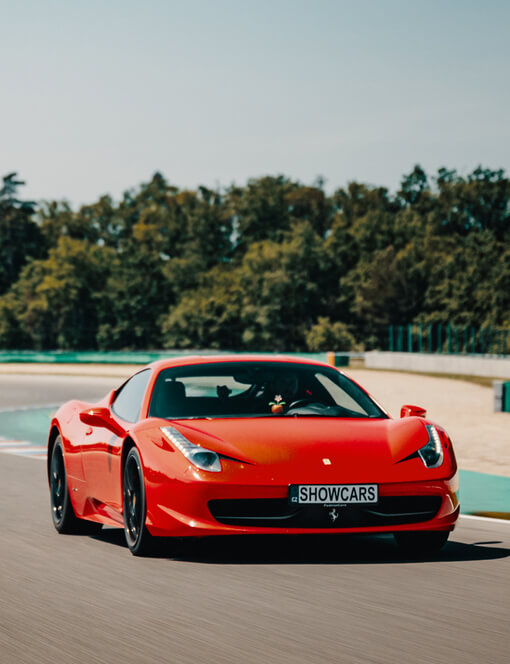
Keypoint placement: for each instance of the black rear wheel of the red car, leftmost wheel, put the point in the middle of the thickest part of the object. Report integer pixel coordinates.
(62, 512)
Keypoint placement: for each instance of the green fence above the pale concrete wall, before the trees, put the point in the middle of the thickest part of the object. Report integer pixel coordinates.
(452, 339)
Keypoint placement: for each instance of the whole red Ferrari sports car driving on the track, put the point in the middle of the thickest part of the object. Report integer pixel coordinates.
(225, 445)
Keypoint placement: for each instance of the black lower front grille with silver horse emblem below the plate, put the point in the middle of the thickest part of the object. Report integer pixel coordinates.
(278, 513)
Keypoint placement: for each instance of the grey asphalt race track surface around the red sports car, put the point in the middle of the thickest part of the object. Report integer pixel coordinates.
(327, 599)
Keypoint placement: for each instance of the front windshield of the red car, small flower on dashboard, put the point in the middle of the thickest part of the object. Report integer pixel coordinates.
(258, 389)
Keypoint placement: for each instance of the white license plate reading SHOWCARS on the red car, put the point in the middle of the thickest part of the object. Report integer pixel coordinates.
(332, 494)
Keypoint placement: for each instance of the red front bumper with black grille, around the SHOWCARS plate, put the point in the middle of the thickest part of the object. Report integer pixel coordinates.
(197, 509)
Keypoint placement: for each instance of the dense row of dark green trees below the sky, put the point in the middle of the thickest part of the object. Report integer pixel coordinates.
(272, 265)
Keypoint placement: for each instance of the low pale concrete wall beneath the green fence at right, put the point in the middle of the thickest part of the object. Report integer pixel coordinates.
(436, 363)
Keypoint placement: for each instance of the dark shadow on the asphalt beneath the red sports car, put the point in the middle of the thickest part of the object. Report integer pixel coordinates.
(305, 549)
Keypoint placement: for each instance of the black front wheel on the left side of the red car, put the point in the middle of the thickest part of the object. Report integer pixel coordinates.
(140, 542)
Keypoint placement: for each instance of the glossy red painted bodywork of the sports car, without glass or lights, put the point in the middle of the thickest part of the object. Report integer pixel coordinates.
(261, 457)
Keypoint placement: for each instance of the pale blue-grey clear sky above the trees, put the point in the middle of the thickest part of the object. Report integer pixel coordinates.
(95, 96)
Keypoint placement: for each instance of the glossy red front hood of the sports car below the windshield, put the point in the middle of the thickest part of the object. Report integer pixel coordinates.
(346, 443)
